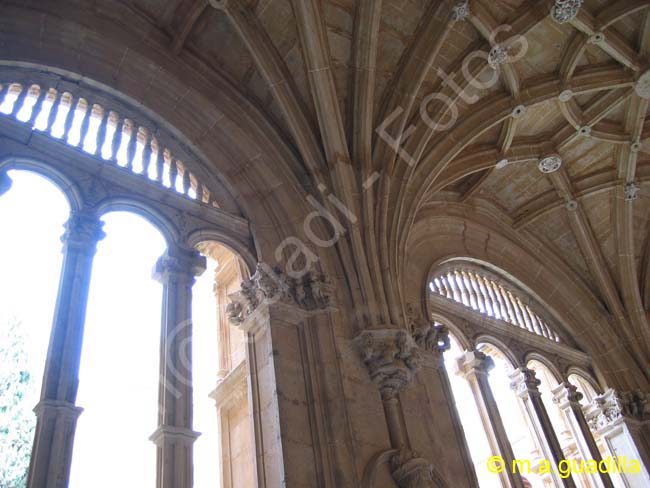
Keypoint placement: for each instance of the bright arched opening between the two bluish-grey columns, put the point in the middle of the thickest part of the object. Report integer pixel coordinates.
(119, 371)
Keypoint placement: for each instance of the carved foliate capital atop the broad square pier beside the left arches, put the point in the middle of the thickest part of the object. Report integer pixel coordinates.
(311, 292)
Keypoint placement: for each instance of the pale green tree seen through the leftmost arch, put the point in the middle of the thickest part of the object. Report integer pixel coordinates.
(17, 421)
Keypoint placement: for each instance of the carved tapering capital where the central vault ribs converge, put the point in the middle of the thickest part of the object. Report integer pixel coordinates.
(392, 358)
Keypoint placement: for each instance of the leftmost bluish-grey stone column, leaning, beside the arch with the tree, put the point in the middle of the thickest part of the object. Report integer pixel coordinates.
(56, 412)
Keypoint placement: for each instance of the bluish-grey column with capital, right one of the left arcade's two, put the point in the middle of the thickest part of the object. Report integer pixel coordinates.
(174, 437)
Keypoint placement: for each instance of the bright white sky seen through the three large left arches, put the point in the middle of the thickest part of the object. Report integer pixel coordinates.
(119, 370)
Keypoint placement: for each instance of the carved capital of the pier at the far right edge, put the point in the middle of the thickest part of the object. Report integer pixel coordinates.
(612, 406)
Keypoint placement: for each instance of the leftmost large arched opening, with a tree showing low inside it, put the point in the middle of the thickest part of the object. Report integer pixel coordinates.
(30, 260)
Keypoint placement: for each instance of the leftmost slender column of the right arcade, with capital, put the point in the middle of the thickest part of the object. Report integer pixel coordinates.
(475, 366)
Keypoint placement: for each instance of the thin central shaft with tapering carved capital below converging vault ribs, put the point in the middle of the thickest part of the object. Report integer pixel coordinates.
(392, 358)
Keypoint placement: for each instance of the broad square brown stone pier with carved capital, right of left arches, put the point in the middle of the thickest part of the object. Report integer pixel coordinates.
(276, 311)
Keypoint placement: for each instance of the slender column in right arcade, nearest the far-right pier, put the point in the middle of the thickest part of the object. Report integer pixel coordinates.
(568, 398)
